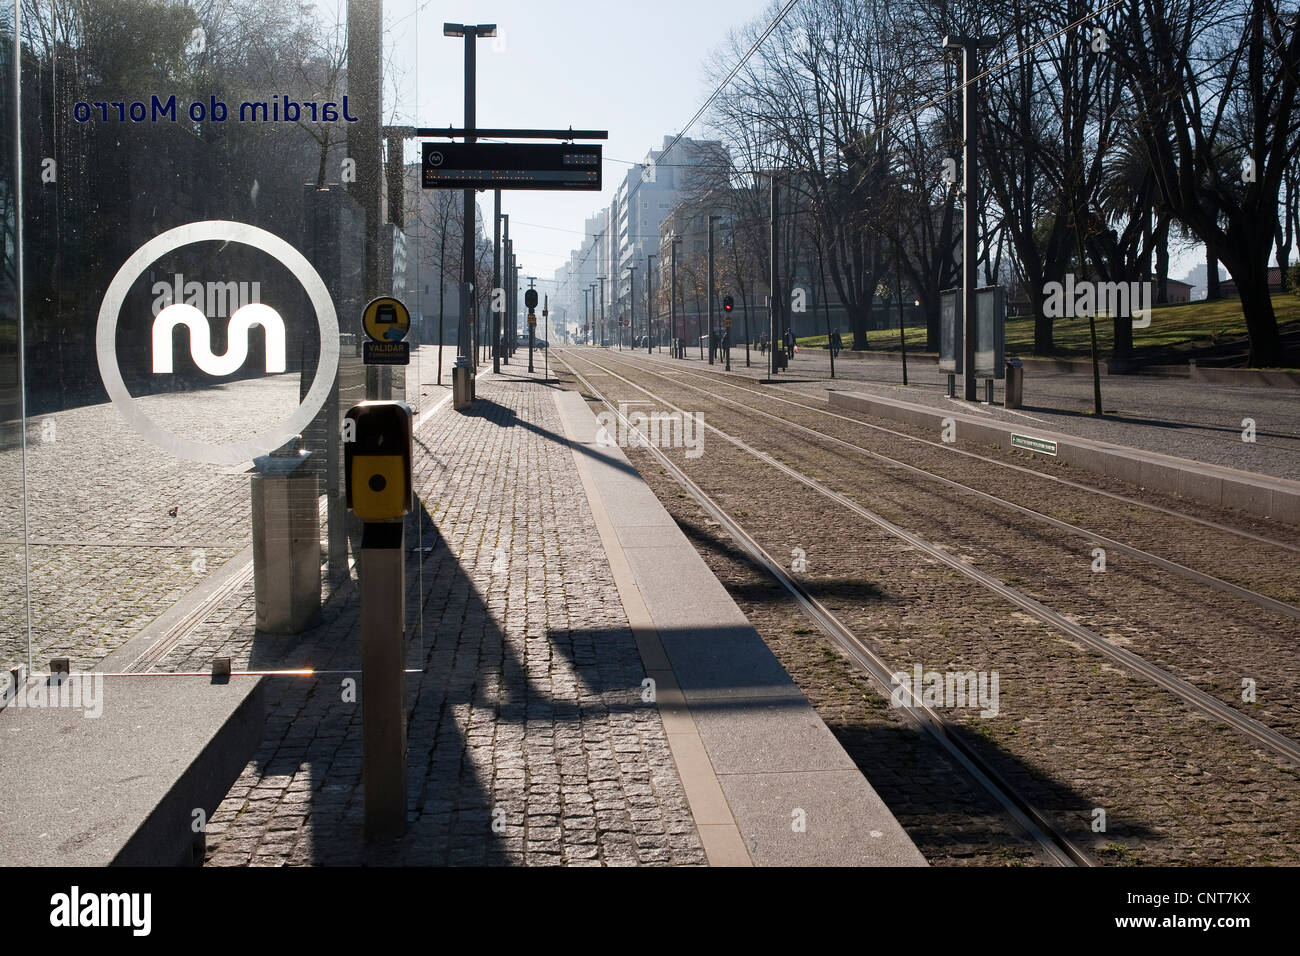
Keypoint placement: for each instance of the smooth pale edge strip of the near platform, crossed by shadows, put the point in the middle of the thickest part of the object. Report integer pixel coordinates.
(778, 756)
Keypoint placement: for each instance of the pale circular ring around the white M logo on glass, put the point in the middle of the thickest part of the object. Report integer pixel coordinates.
(219, 231)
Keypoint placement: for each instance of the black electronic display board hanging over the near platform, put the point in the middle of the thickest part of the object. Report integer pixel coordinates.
(510, 166)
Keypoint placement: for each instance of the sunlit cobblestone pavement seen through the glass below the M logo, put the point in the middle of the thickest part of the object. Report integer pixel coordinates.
(107, 553)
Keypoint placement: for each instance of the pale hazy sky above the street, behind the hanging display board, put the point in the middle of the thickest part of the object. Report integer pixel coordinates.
(632, 70)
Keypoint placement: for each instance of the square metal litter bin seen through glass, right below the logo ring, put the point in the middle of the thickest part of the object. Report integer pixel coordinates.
(287, 542)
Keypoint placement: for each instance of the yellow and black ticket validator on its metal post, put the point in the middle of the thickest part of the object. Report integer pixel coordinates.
(378, 439)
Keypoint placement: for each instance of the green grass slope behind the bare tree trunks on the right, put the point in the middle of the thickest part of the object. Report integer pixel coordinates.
(1178, 332)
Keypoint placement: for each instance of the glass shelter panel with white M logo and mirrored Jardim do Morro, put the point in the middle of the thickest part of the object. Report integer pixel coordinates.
(206, 217)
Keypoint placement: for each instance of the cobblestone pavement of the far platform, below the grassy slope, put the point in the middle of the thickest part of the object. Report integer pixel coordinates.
(1173, 417)
